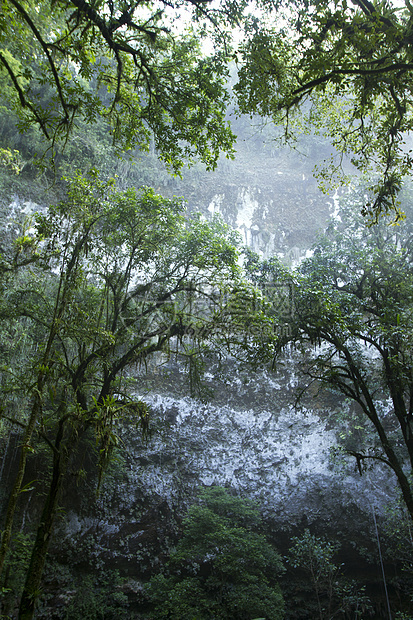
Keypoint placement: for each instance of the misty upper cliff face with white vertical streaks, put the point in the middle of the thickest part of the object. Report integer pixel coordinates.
(270, 196)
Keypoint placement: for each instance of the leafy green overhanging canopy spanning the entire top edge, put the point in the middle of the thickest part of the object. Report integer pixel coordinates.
(340, 69)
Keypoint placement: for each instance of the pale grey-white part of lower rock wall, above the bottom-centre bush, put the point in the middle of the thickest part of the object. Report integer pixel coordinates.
(249, 436)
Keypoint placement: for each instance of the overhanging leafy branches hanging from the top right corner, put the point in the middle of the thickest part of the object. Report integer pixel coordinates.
(347, 67)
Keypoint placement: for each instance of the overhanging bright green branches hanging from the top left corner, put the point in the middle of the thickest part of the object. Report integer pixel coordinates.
(134, 64)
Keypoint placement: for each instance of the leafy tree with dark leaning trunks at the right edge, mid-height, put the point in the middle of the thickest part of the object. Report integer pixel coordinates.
(350, 310)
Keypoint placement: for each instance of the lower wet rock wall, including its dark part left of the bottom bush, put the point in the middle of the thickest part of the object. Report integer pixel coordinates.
(249, 438)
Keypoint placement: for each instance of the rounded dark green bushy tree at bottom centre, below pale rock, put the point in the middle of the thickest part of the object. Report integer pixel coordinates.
(221, 567)
